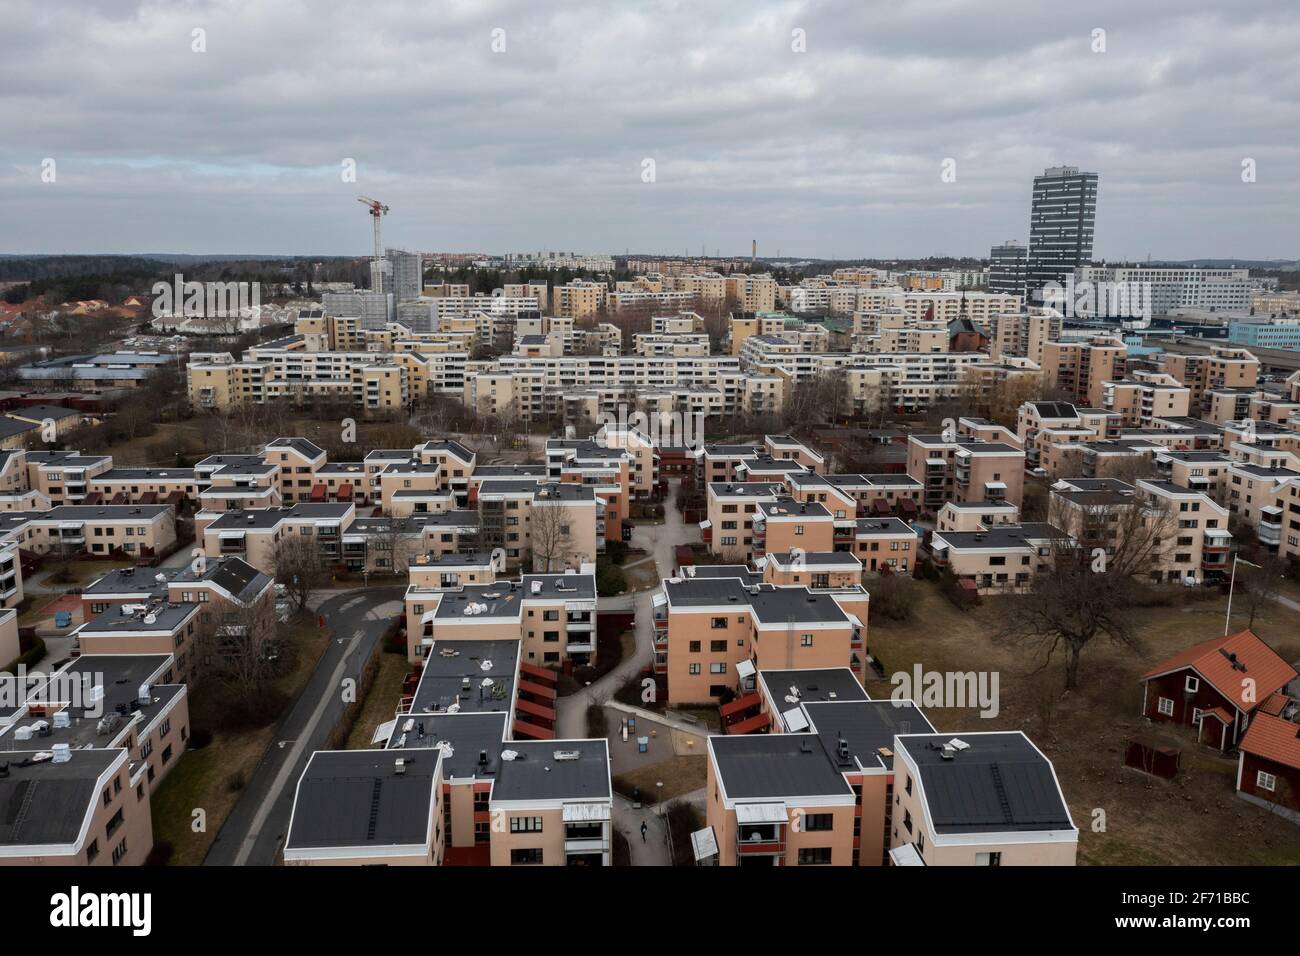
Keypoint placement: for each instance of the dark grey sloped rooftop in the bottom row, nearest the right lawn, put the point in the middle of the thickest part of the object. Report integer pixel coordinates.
(999, 782)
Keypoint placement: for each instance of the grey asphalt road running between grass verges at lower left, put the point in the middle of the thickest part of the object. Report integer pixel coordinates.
(255, 829)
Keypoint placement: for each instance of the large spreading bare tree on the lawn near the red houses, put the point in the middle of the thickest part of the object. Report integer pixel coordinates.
(1087, 589)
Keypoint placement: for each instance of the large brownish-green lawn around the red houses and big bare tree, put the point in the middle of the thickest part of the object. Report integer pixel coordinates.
(1195, 820)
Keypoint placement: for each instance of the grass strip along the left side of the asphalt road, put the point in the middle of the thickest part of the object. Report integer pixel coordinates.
(213, 777)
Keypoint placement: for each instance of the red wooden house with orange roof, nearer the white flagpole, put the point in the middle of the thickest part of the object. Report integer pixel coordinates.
(1215, 687)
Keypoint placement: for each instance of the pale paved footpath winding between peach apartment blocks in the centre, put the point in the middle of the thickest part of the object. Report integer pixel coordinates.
(660, 542)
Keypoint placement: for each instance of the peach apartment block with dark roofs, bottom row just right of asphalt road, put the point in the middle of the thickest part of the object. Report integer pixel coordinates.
(475, 791)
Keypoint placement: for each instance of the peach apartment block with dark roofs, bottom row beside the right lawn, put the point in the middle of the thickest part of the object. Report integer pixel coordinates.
(844, 781)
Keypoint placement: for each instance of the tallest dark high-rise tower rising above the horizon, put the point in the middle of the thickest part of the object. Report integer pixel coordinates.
(1061, 223)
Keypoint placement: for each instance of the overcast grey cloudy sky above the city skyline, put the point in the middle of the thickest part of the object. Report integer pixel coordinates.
(834, 152)
